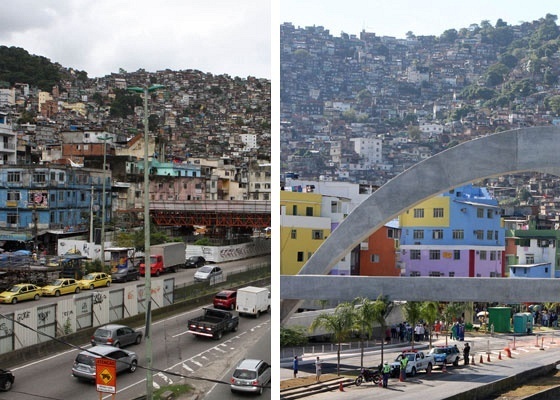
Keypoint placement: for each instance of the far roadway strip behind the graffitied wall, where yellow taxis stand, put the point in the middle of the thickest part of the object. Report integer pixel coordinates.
(181, 277)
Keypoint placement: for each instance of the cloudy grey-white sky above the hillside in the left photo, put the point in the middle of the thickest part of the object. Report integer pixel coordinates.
(100, 36)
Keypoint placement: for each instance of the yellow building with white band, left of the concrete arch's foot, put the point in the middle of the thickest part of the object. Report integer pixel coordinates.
(302, 229)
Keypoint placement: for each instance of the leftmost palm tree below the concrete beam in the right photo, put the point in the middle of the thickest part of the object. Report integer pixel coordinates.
(339, 324)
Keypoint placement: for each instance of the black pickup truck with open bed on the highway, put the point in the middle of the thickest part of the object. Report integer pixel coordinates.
(213, 323)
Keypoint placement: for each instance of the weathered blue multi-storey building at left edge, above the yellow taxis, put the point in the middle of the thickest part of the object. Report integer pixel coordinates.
(41, 203)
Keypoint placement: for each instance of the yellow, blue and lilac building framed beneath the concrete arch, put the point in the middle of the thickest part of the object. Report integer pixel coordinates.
(455, 234)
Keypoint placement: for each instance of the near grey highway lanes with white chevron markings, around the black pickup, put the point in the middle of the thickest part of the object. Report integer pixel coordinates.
(173, 350)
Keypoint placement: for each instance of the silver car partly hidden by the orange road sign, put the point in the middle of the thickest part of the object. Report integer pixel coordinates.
(84, 365)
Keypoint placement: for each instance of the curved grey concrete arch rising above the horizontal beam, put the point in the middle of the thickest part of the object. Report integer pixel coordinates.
(520, 150)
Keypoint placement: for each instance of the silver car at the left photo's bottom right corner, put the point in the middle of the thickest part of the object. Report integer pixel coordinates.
(250, 376)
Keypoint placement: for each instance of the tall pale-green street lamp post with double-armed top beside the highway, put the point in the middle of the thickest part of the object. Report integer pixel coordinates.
(147, 269)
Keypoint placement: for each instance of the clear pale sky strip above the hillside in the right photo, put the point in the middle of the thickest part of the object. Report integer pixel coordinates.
(397, 17)
